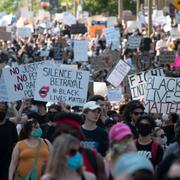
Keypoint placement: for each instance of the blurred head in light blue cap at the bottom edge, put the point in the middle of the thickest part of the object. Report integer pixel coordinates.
(138, 167)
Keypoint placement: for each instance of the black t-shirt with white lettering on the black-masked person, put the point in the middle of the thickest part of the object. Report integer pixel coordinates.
(146, 150)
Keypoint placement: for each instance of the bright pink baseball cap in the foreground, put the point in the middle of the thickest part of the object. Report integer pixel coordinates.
(119, 131)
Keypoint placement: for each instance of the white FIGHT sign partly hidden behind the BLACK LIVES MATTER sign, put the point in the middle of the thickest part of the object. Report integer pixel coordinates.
(137, 82)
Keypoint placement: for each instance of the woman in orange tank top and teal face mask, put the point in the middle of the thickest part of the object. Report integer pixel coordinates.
(30, 153)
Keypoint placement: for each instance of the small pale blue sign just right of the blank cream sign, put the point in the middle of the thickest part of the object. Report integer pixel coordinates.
(114, 94)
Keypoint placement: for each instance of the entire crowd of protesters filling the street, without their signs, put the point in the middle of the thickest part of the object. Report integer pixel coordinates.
(56, 141)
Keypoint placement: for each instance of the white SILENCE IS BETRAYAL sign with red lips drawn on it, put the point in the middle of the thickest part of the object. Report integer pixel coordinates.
(55, 84)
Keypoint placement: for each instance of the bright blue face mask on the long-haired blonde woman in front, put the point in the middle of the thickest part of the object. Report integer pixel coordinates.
(75, 162)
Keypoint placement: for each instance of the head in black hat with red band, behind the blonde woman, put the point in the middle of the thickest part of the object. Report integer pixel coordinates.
(69, 123)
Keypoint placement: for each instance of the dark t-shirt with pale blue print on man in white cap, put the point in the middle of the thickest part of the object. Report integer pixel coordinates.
(96, 139)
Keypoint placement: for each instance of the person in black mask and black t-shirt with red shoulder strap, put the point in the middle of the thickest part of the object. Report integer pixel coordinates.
(145, 143)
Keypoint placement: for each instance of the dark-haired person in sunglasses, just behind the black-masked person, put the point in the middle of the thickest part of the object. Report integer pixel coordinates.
(133, 110)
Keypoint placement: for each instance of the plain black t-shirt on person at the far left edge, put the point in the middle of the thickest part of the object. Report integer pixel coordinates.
(8, 138)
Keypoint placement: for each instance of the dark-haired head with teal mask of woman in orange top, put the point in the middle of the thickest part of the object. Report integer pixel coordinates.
(30, 129)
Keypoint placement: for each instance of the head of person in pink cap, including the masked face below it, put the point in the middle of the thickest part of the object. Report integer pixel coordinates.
(121, 140)
